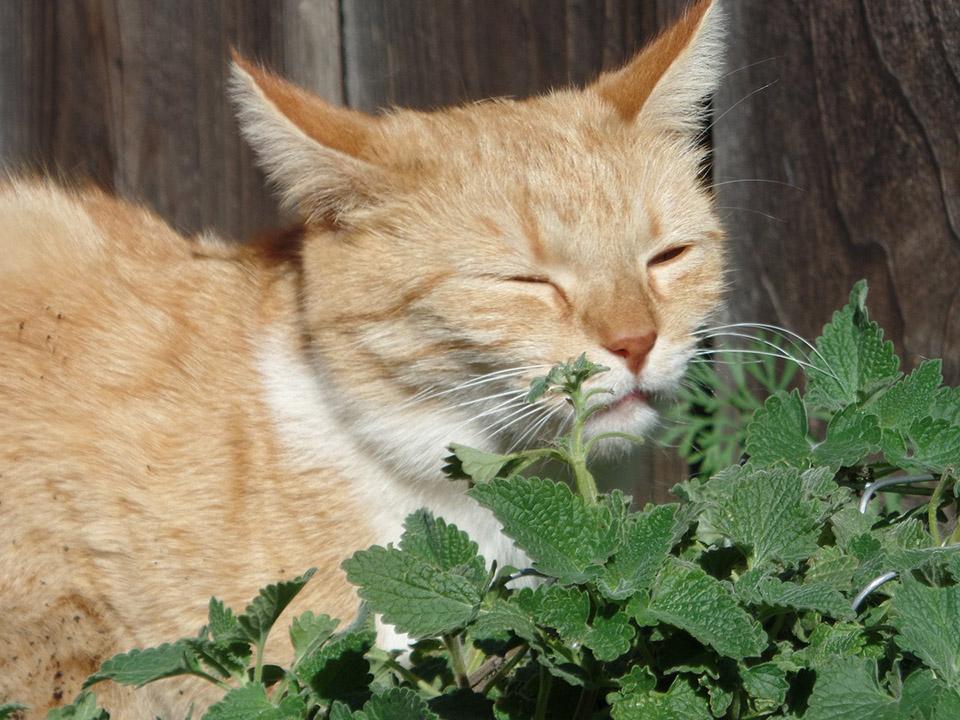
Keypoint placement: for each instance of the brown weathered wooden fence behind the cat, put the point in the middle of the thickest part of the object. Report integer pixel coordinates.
(836, 135)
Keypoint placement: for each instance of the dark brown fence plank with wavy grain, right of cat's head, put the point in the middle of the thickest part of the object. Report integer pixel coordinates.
(860, 126)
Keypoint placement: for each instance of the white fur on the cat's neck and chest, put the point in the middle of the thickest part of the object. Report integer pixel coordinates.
(315, 435)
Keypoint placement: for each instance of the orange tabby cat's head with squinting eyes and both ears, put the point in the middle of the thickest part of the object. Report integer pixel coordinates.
(451, 256)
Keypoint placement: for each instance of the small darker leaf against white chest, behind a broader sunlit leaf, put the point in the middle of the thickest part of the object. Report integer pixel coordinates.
(443, 546)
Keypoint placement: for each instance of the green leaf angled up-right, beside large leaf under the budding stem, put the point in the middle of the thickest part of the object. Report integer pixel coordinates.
(648, 539)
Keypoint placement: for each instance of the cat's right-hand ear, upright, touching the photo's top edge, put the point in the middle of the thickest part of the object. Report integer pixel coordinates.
(666, 82)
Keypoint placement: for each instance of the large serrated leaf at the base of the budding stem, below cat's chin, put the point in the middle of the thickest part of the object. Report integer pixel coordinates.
(564, 536)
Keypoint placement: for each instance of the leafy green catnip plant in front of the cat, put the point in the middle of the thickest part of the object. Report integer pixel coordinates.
(780, 586)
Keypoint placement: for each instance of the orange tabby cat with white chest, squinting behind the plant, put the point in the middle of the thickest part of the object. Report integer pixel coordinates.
(178, 419)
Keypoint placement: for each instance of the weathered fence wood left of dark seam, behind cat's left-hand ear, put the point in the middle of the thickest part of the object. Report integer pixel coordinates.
(133, 96)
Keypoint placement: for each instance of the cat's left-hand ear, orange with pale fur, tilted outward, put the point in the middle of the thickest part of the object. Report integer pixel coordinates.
(316, 153)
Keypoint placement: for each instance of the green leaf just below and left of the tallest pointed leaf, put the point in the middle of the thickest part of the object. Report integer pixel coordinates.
(778, 433)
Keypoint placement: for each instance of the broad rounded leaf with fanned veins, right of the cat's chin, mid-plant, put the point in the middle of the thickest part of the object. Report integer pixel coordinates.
(769, 513)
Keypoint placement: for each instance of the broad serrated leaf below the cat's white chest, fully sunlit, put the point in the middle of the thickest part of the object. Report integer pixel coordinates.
(415, 596)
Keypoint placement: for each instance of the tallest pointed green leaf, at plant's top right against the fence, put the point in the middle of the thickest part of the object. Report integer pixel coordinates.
(852, 358)
